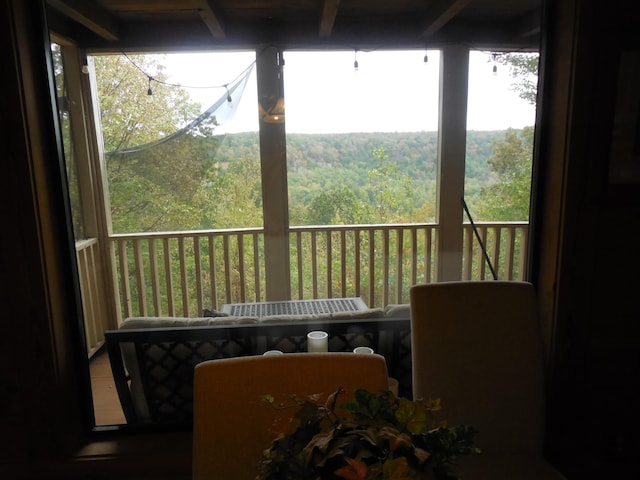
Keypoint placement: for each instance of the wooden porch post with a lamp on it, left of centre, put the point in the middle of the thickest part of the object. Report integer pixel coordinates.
(273, 161)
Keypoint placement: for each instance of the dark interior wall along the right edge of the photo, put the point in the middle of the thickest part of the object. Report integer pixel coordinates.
(592, 286)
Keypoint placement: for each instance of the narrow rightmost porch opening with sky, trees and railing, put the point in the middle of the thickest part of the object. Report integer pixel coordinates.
(500, 128)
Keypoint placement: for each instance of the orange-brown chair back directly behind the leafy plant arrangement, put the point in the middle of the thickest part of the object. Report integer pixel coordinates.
(232, 427)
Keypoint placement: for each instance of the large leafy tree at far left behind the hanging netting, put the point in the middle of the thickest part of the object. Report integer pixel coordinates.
(153, 184)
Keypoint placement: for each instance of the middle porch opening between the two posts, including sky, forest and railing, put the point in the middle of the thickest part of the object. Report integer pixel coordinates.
(362, 149)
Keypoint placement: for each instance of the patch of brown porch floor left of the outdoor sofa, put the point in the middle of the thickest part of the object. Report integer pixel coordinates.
(106, 404)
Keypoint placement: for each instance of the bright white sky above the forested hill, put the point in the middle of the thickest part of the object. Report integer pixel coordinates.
(391, 91)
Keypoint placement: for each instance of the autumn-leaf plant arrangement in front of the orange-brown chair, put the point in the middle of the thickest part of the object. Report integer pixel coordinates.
(379, 436)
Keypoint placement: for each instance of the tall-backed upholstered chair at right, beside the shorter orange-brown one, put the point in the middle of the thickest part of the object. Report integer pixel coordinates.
(477, 346)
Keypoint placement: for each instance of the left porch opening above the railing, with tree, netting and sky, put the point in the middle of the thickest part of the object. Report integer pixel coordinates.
(166, 121)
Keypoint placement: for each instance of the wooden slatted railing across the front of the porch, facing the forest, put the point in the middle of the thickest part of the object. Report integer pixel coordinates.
(181, 273)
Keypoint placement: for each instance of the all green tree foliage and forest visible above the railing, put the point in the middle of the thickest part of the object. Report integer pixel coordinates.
(202, 180)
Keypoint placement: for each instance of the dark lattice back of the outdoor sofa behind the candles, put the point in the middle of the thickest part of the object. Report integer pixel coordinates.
(166, 357)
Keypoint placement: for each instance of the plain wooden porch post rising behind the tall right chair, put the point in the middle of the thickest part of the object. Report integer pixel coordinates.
(454, 75)
